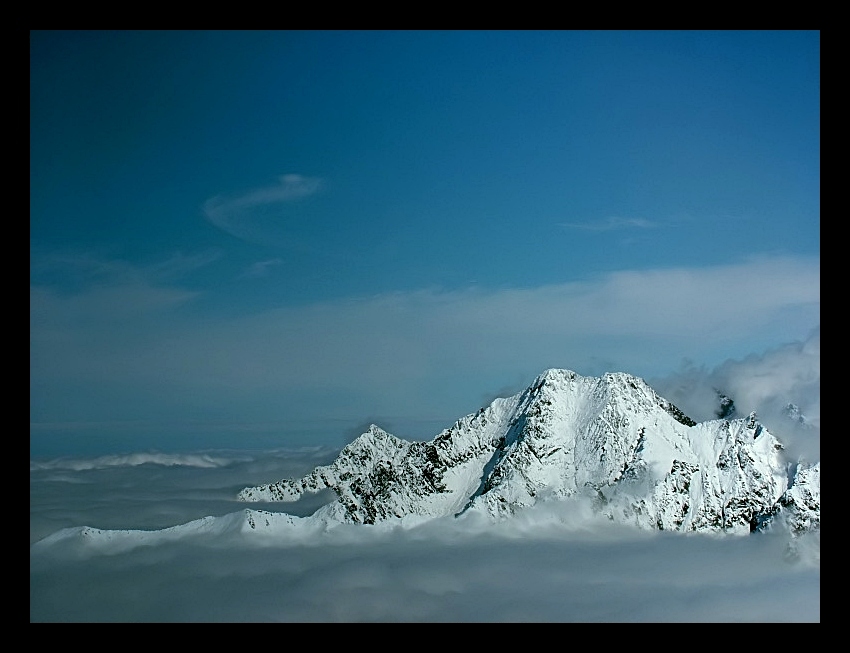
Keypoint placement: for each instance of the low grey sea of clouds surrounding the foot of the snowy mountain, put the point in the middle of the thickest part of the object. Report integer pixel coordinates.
(556, 563)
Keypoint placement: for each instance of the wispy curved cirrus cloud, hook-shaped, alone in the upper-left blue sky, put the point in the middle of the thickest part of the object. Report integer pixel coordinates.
(240, 216)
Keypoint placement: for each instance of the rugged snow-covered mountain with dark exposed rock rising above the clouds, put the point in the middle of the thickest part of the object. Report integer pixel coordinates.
(611, 438)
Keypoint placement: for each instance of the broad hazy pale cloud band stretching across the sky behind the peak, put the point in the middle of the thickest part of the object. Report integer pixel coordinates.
(426, 354)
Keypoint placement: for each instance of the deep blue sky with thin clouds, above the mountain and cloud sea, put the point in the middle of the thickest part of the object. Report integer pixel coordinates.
(278, 237)
